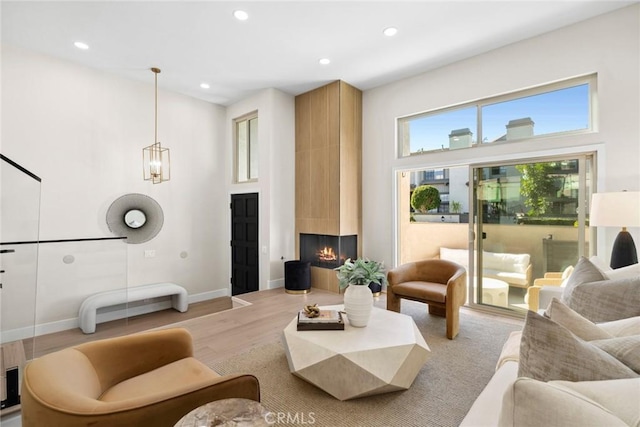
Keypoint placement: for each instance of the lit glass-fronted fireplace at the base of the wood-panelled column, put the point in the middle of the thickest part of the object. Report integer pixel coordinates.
(327, 251)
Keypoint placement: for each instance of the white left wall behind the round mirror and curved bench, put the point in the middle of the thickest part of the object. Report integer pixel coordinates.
(82, 131)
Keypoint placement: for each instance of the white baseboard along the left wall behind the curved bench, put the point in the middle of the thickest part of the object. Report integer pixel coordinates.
(105, 315)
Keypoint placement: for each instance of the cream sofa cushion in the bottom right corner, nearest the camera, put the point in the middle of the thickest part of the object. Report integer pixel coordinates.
(529, 402)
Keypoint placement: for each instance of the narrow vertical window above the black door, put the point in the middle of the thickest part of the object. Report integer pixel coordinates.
(246, 142)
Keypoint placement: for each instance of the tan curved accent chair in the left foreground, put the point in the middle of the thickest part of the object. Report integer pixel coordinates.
(146, 379)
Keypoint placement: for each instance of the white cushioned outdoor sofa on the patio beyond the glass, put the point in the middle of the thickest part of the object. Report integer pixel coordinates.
(515, 269)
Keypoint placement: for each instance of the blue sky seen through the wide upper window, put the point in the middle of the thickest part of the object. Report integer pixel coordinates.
(557, 111)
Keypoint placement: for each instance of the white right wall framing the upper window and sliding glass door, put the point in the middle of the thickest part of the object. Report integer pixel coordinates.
(608, 45)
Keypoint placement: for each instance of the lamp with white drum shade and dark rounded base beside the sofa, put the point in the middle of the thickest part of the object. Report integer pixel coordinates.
(618, 209)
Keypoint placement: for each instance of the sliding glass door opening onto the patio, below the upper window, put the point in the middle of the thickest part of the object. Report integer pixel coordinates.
(507, 223)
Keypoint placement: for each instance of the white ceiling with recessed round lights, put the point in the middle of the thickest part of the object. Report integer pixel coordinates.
(279, 46)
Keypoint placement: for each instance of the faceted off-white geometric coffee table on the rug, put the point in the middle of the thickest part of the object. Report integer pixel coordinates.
(384, 356)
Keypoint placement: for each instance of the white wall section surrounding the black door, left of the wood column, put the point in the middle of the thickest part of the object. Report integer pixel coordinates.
(276, 182)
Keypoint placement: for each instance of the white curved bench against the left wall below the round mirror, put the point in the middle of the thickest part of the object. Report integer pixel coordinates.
(87, 316)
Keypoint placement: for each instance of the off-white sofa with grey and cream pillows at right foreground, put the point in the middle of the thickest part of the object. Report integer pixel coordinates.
(578, 365)
